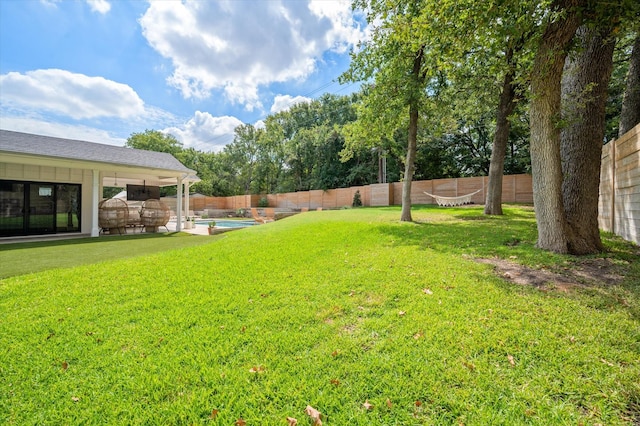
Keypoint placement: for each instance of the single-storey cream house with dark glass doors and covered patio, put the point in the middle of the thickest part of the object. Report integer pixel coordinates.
(52, 186)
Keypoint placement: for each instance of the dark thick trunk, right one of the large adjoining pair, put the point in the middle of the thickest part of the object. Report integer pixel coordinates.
(584, 92)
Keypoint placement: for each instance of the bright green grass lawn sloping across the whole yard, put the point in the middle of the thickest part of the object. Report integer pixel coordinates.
(330, 309)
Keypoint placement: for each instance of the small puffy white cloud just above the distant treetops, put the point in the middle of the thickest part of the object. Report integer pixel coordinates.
(205, 132)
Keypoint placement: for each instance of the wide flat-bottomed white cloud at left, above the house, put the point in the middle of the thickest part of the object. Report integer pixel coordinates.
(69, 94)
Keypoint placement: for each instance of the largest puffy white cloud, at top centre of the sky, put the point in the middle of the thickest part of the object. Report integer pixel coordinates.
(237, 47)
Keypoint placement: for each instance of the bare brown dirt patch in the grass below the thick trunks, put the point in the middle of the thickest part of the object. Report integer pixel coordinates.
(587, 272)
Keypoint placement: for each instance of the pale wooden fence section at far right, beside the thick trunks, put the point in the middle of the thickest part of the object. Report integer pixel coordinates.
(619, 202)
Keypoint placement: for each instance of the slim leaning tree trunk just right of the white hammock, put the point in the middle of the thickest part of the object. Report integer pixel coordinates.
(493, 203)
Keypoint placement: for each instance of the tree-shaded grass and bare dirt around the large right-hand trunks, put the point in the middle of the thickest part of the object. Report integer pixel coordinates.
(508, 244)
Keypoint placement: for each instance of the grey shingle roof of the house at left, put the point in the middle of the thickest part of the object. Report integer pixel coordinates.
(47, 146)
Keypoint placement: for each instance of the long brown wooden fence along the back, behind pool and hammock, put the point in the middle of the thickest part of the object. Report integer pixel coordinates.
(515, 189)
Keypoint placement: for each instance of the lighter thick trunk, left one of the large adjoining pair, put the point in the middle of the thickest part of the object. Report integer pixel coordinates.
(546, 167)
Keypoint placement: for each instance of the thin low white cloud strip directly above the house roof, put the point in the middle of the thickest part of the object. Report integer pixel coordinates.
(59, 130)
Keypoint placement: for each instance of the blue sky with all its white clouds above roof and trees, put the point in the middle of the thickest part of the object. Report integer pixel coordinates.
(99, 70)
